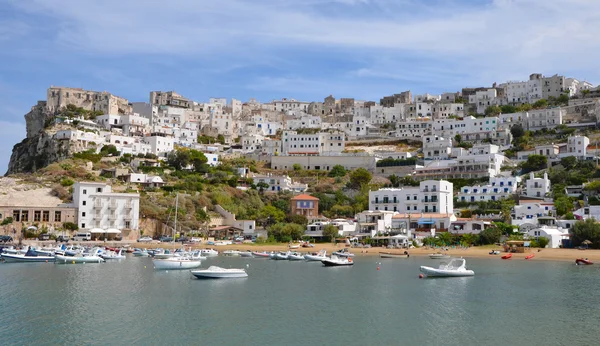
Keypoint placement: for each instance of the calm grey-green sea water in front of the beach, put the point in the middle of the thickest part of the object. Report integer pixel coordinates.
(299, 303)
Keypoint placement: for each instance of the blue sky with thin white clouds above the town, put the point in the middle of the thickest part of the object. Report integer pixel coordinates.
(269, 49)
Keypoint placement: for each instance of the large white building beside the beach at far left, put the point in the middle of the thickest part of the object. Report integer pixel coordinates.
(99, 207)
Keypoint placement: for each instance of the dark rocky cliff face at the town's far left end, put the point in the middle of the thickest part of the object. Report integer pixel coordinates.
(40, 148)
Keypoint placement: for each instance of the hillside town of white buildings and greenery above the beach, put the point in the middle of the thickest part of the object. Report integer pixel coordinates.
(516, 159)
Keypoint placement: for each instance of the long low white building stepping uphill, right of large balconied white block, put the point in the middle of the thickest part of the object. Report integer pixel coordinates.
(497, 189)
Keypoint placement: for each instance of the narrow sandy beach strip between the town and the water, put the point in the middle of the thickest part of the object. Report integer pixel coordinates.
(562, 255)
